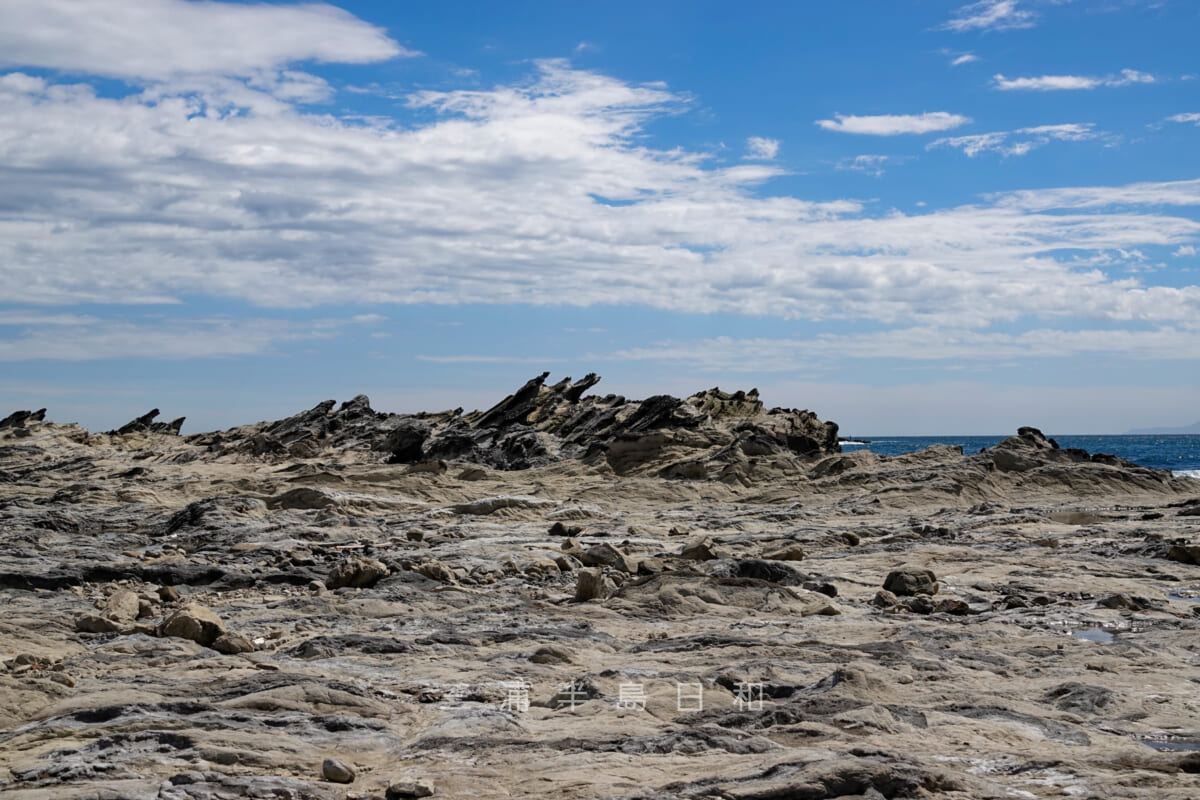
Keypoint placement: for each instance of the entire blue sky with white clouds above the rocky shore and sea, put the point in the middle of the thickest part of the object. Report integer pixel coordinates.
(910, 216)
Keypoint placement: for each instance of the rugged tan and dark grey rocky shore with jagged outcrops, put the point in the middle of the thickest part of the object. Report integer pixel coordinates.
(574, 596)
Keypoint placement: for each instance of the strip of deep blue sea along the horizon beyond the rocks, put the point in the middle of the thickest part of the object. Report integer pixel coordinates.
(1180, 454)
